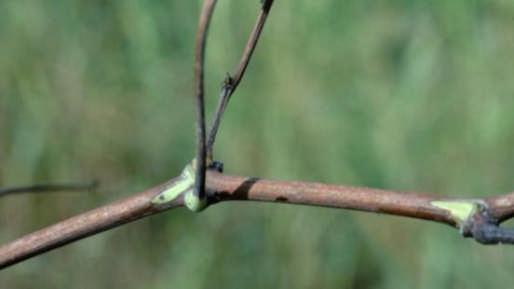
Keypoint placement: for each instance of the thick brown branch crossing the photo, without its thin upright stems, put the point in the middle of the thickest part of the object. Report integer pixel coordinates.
(482, 224)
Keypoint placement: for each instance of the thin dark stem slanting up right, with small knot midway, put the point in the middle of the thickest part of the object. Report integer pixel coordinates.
(231, 82)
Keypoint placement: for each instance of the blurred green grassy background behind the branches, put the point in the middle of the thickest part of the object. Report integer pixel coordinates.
(407, 95)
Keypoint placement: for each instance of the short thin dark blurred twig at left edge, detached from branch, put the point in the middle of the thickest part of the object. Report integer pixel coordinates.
(44, 188)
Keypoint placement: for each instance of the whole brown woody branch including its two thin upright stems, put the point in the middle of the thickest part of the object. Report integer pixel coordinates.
(476, 218)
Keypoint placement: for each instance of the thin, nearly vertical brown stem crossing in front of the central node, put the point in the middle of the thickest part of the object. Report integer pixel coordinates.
(201, 40)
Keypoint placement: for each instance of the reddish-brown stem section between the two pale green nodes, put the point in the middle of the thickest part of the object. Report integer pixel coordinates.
(414, 205)
